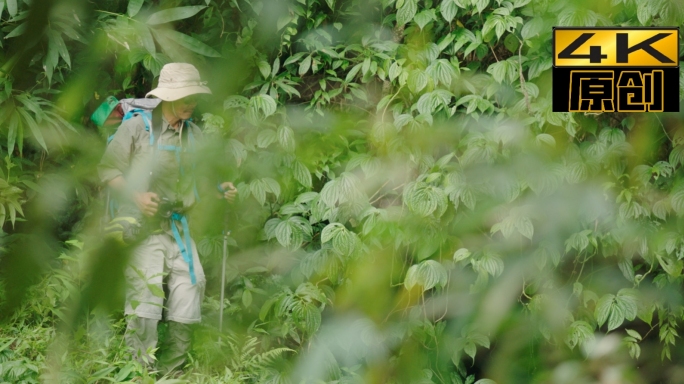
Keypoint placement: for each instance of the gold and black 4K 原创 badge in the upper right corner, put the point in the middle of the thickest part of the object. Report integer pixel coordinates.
(616, 70)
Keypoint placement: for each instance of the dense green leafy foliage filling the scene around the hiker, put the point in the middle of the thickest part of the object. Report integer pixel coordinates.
(410, 209)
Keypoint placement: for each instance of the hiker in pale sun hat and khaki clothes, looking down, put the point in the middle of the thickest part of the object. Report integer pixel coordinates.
(149, 167)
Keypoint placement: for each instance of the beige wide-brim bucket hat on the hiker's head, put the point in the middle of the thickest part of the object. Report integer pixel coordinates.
(178, 80)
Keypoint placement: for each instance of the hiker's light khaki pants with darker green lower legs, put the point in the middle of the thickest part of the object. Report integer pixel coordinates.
(157, 267)
